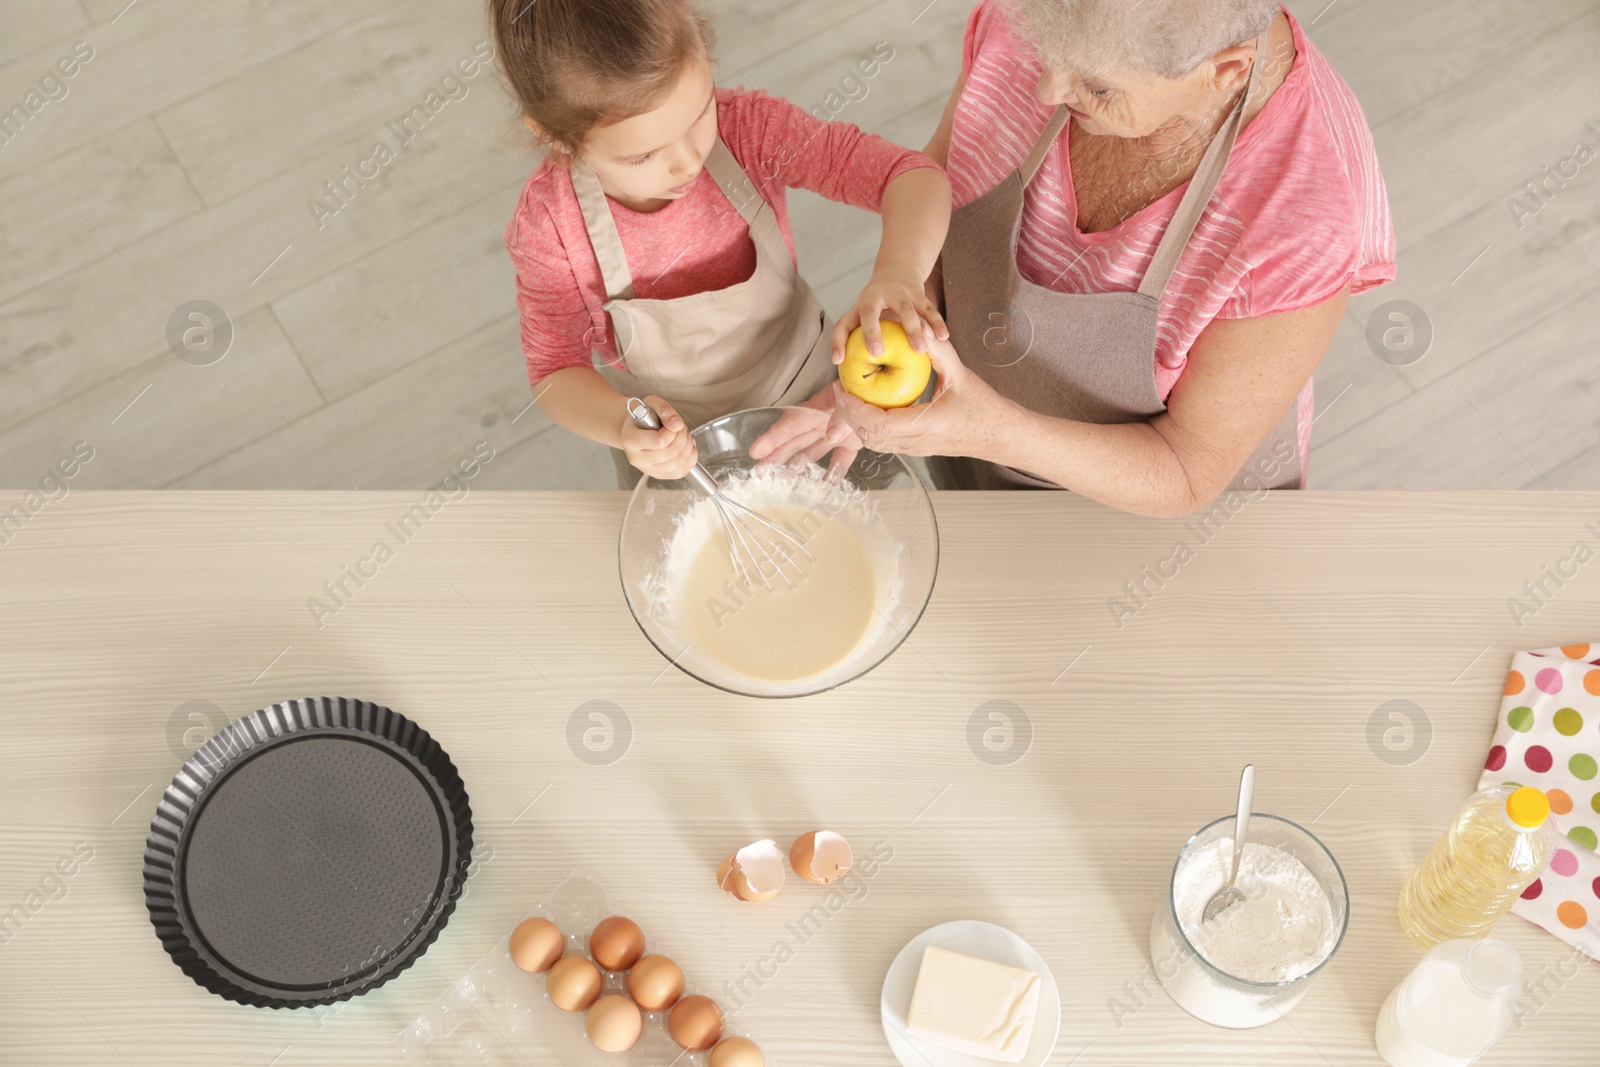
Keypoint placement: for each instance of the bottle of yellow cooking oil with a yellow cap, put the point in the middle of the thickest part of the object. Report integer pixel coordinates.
(1476, 873)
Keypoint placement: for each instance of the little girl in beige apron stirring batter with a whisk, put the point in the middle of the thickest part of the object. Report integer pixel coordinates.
(652, 246)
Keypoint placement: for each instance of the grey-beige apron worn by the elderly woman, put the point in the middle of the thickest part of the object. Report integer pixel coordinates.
(1087, 358)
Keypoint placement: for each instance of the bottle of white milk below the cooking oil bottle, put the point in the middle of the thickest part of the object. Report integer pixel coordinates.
(1454, 1007)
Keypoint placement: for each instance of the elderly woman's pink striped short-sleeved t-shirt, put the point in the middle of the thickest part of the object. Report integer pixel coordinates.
(1300, 212)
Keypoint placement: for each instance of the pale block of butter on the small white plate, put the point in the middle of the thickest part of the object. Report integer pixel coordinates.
(975, 1007)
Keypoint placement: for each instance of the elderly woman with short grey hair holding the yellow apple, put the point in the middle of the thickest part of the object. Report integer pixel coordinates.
(1162, 210)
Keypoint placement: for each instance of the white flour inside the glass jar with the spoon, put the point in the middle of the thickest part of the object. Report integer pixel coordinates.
(1281, 933)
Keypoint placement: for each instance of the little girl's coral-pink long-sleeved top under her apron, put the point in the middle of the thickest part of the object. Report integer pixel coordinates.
(698, 242)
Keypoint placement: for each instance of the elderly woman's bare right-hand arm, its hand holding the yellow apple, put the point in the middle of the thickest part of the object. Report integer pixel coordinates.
(1242, 377)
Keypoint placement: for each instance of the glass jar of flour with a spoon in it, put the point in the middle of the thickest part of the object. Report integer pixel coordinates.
(1252, 964)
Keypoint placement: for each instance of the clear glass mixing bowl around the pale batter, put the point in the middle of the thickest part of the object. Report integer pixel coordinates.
(897, 494)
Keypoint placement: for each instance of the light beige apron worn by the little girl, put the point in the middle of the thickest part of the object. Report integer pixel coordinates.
(759, 343)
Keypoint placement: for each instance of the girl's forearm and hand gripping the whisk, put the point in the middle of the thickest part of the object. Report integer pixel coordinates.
(580, 401)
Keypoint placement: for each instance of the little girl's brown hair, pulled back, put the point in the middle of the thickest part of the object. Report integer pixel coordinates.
(578, 65)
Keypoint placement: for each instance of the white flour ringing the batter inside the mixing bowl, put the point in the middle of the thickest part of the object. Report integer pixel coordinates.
(767, 489)
